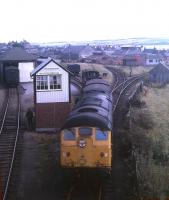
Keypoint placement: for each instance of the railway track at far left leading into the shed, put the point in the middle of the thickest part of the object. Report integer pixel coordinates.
(9, 136)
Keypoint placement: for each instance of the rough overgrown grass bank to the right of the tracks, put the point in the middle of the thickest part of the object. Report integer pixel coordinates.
(150, 143)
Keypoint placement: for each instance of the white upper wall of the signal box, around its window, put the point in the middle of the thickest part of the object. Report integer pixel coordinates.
(50, 96)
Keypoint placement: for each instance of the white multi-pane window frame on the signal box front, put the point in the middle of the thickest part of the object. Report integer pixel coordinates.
(48, 82)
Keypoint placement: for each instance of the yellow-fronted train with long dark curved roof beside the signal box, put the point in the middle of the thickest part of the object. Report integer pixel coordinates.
(86, 136)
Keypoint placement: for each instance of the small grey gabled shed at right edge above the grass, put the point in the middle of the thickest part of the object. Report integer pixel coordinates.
(159, 74)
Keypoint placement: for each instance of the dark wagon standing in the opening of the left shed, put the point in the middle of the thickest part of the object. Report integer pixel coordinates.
(12, 76)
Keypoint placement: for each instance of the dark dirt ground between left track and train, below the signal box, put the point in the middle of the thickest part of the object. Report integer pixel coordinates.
(39, 175)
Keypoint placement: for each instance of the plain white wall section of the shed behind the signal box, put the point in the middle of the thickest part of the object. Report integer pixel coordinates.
(25, 69)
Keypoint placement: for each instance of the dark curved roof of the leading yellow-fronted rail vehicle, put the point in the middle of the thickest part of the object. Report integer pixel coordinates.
(93, 110)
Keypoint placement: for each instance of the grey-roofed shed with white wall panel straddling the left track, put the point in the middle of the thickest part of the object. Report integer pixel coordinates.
(20, 58)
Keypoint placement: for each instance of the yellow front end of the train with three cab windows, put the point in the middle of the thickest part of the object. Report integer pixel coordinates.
(86, 147)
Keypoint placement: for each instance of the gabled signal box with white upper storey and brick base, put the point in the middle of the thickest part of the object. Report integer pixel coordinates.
(52, 95)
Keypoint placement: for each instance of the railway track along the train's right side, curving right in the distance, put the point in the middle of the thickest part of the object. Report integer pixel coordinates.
(124, 179)
